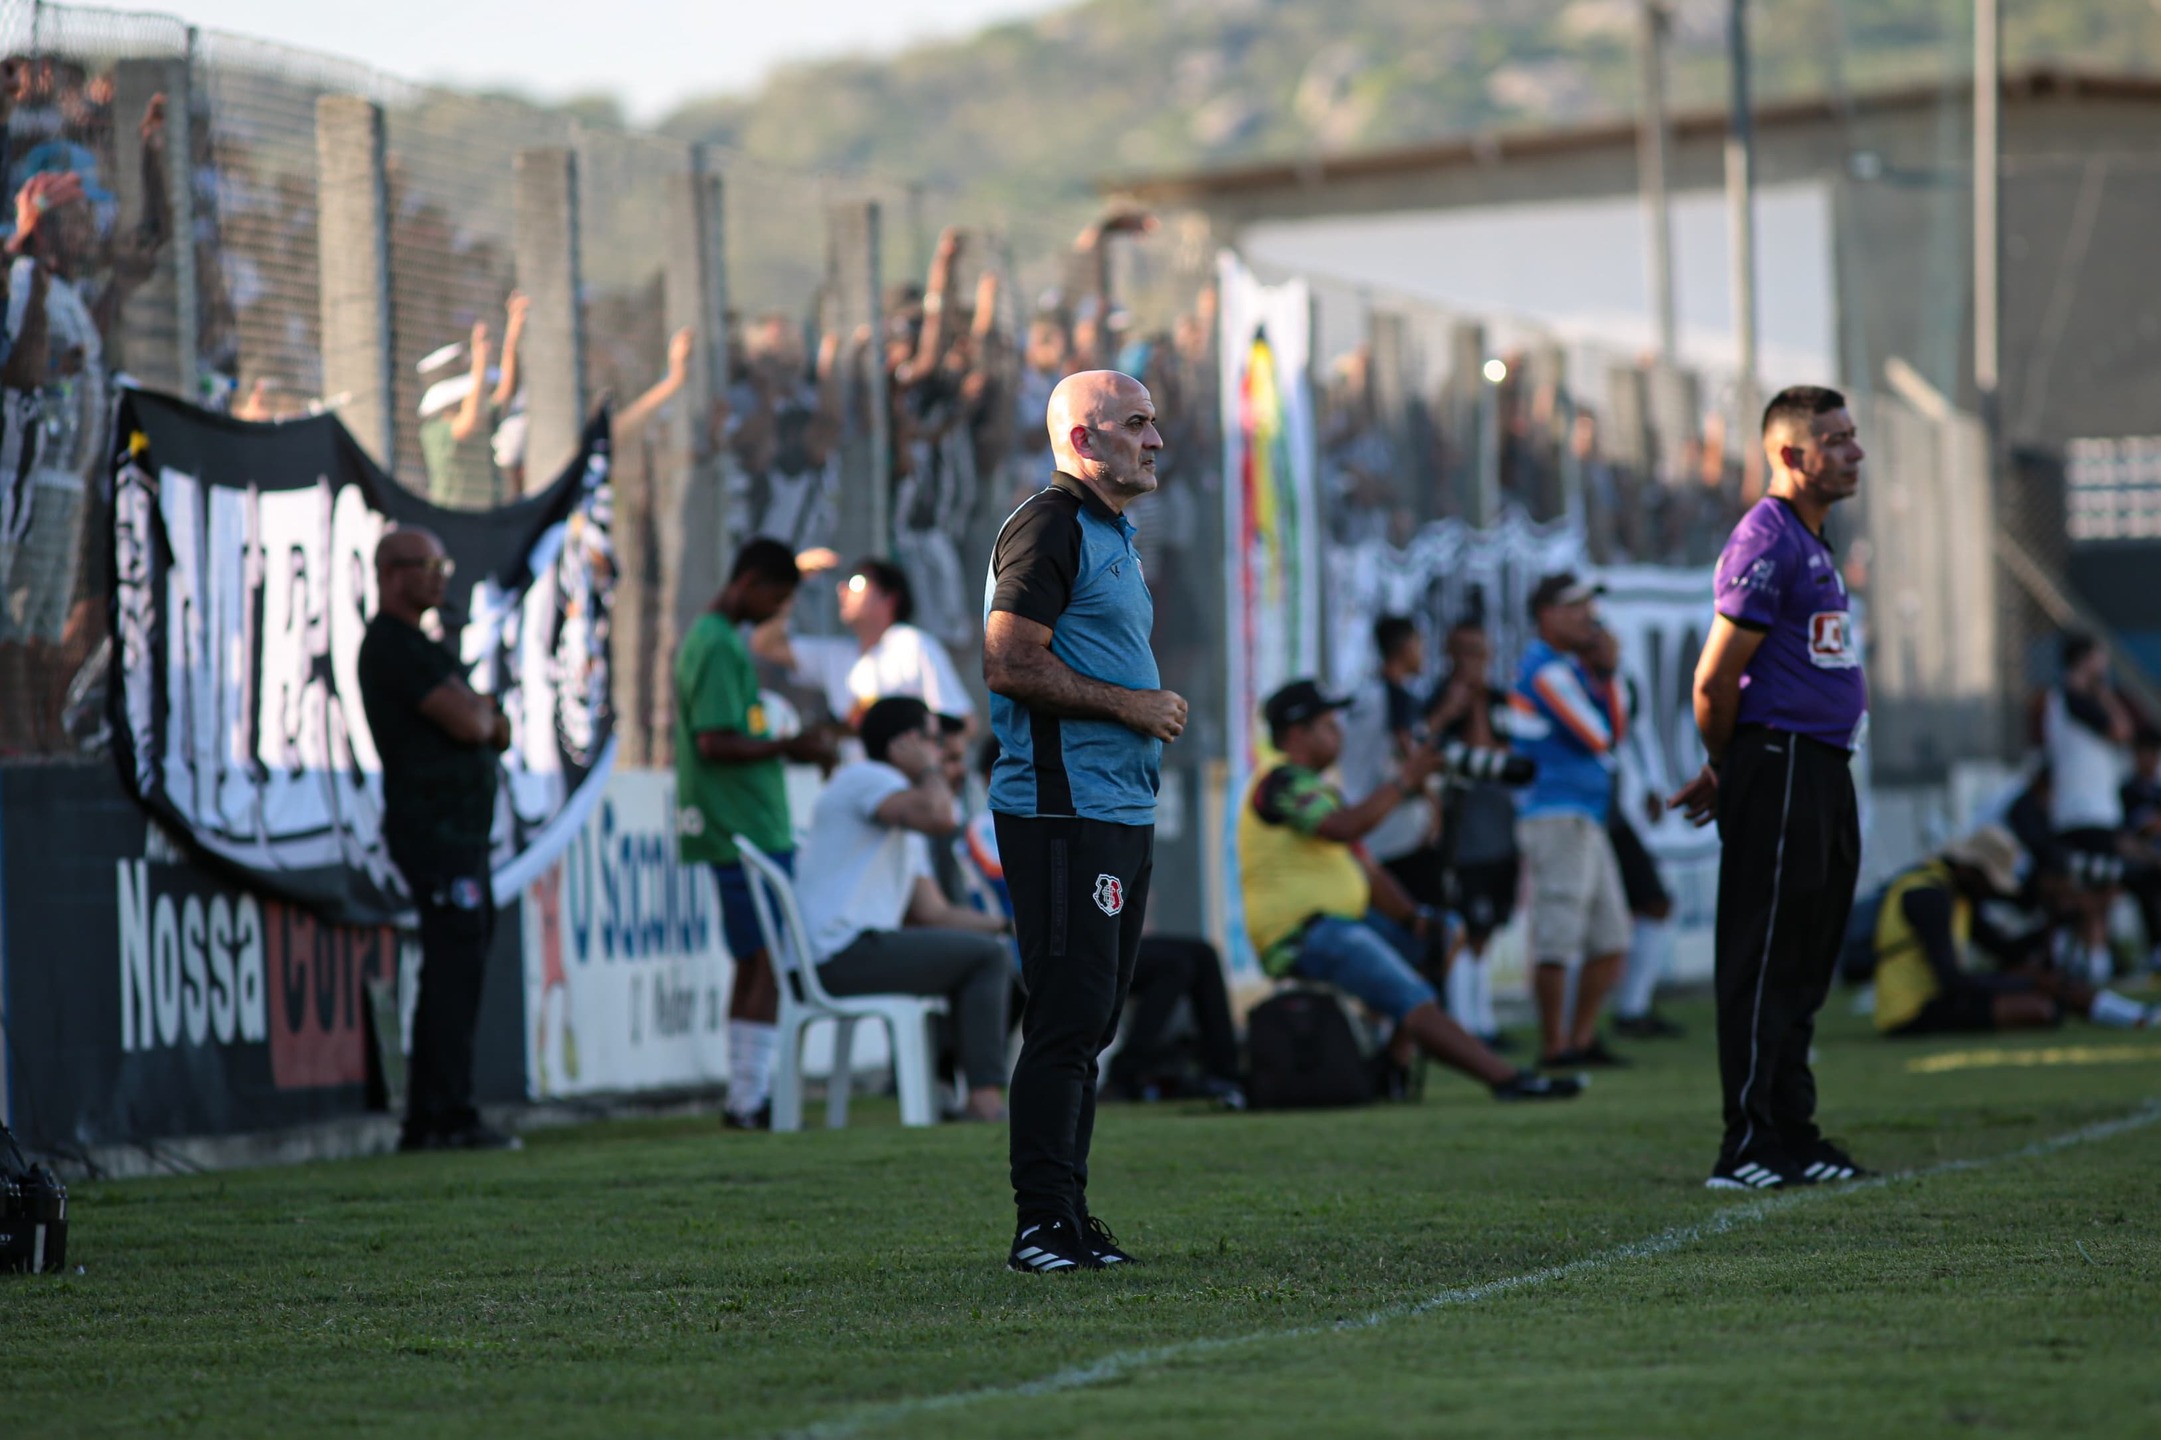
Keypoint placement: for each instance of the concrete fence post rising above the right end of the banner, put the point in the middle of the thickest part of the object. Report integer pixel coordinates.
(548, 269)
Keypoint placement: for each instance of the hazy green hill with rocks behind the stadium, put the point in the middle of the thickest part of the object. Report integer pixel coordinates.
(1019, 120)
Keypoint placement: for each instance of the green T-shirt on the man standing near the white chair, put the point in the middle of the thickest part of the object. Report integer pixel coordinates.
(719, 691)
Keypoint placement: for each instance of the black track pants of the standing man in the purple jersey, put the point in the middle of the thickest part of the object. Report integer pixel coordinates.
(1786, 888)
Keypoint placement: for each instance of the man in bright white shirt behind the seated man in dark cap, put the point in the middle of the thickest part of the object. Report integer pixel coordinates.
(885, 658)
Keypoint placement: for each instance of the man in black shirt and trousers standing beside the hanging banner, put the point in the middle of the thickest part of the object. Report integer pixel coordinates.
(438, 743)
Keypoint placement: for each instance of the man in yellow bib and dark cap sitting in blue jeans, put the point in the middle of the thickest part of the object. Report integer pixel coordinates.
(1317, 907)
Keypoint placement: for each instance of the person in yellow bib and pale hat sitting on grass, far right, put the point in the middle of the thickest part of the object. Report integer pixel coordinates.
(1931, 918)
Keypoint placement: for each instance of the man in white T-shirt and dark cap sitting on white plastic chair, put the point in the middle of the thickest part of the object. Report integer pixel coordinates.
(865, 872)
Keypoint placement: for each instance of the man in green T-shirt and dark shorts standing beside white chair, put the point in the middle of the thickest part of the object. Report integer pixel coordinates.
(729, 784)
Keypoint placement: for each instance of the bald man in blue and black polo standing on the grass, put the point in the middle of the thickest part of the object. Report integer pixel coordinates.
(1082, 721)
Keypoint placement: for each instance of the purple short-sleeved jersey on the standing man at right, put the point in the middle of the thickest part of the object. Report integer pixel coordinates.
(1775, 576)
